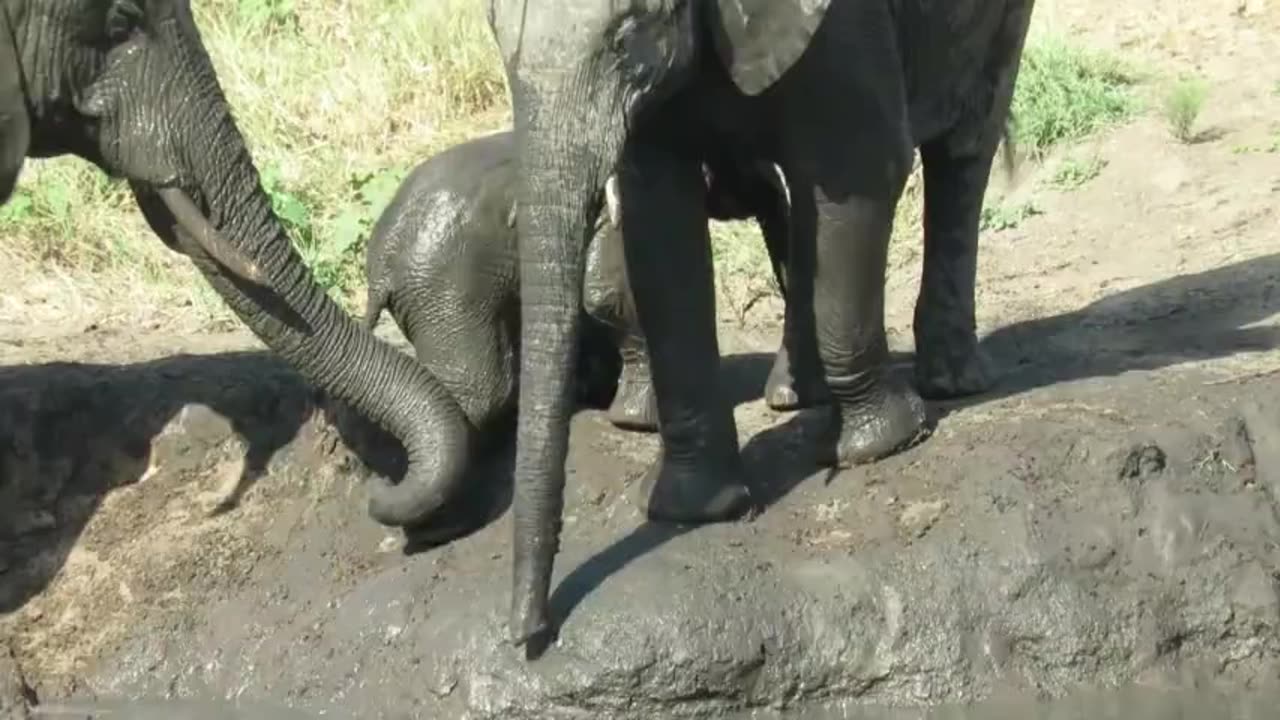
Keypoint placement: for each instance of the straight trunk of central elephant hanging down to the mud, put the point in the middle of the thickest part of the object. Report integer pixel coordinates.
(560, 199)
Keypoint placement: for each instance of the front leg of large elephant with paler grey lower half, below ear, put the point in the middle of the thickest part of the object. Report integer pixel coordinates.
(848, 157)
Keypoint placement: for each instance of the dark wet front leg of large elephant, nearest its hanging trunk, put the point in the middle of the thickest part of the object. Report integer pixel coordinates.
(700, 477)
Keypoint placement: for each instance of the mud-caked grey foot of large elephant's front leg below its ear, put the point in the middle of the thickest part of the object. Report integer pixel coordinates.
(886, 418)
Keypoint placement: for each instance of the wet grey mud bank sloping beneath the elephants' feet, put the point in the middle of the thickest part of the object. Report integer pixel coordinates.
(1084, 536)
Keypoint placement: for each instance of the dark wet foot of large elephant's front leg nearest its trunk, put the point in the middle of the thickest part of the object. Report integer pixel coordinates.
(694, 493)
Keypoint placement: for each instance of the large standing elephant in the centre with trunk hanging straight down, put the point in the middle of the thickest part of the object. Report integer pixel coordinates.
(838, 93)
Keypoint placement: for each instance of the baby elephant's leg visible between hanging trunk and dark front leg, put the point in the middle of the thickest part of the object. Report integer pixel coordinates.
(607, 297)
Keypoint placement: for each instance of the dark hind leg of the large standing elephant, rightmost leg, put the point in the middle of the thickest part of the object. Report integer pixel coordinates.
(949, 362)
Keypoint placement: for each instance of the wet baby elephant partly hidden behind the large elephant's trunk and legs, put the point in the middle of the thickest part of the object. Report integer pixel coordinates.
(444, 259)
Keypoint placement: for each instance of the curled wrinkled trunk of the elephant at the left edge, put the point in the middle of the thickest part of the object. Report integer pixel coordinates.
(292, 315)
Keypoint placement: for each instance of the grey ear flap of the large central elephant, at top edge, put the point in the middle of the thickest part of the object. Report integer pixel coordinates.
(760, 40)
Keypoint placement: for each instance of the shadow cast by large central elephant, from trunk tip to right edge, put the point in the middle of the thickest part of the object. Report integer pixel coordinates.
(1194, 317)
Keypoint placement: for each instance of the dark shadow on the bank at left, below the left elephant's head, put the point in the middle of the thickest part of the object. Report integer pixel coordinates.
(74, 432)
